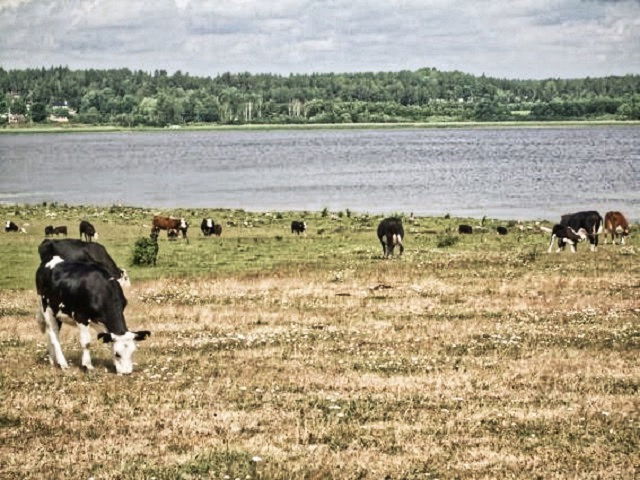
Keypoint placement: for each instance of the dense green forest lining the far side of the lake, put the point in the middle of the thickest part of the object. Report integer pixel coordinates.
(138, 98)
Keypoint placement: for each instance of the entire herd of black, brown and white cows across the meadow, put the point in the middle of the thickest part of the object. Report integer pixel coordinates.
(80, 284)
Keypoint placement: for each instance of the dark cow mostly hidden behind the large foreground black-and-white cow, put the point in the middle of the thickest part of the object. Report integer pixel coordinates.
(73, 250)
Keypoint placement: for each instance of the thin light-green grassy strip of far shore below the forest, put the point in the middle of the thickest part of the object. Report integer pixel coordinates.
(81, 128)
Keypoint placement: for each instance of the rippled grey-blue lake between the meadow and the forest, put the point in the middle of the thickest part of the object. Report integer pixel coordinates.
(508, 173)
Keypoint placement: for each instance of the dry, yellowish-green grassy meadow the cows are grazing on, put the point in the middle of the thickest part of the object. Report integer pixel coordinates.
(277, 356)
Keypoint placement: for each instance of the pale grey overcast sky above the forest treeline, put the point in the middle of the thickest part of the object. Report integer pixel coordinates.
(503, 38)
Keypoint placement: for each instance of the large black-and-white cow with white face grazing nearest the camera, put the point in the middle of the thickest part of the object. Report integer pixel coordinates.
(86, 293)
